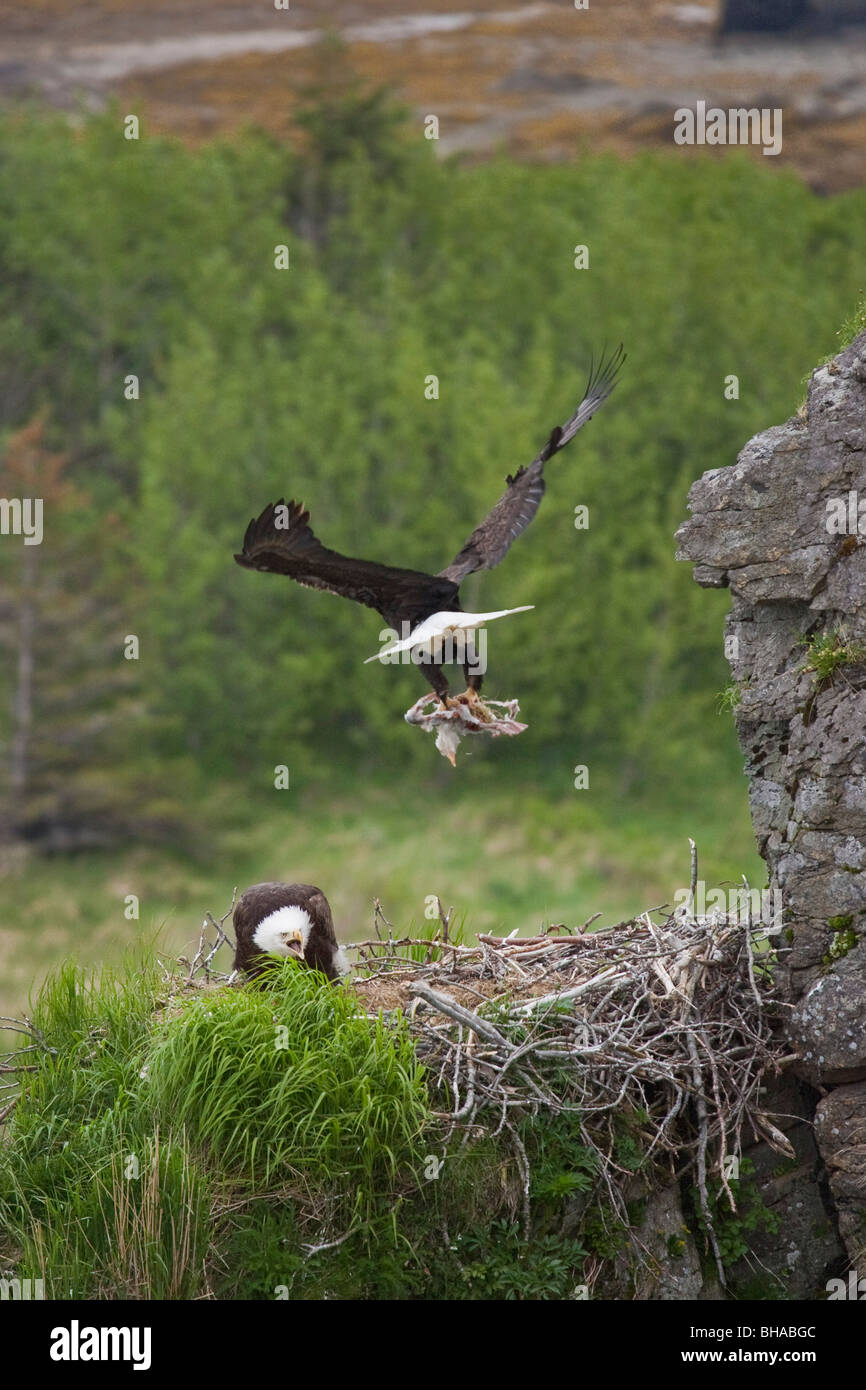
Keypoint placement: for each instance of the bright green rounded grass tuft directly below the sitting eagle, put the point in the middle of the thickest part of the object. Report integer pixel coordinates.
(290, 1084)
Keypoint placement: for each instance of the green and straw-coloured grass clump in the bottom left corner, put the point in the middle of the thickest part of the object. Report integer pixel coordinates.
(95, 1200)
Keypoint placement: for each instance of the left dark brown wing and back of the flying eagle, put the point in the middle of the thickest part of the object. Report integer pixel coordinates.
(281, 543)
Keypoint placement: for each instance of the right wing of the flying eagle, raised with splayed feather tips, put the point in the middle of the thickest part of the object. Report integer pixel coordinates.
(490, 543)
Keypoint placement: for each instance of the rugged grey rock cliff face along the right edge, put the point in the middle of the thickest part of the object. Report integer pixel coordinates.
(786, 530)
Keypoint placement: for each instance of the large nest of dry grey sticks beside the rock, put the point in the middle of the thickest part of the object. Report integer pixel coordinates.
(668, 1018)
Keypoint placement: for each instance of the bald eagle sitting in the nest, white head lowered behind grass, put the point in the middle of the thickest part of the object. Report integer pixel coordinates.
(287, 919)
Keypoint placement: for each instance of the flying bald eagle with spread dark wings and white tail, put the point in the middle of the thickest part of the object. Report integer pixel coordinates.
(425, 607)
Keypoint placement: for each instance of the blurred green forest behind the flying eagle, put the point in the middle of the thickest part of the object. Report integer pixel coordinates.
(154, 261)
